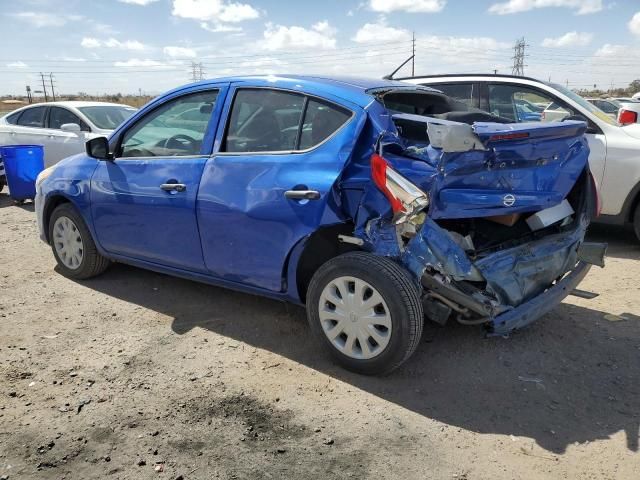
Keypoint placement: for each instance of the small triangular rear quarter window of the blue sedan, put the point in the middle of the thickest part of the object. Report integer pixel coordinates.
(320, 122)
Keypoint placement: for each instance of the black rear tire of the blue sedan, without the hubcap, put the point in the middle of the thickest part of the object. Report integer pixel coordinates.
(400, 294)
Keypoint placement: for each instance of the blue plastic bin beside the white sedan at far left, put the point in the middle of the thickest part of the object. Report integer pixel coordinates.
(22, 164)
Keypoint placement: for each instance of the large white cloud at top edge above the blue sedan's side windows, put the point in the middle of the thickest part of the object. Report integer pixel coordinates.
(214, 10)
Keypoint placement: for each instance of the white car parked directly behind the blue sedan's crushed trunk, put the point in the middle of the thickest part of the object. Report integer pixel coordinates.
(614, 146)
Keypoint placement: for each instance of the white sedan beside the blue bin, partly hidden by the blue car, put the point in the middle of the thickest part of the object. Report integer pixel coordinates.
(61, 127)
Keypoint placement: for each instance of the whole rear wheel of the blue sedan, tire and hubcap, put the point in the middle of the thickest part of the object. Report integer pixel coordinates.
(367, 312)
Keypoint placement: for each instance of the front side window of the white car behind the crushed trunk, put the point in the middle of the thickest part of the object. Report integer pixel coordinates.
(522, 104)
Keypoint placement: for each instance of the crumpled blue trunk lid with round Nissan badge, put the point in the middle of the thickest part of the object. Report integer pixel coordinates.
(493, 170)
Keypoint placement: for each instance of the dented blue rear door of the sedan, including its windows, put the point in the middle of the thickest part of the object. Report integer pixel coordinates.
(269, 183)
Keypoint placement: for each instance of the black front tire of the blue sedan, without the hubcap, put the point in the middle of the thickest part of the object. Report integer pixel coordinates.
(92, 263)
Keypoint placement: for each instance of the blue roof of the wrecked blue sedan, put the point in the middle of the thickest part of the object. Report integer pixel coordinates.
(353, 89)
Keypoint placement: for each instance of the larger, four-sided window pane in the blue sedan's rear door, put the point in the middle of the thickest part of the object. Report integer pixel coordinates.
(264, 120)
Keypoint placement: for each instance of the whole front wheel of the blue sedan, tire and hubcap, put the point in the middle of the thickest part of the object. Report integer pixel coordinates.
(72, 244)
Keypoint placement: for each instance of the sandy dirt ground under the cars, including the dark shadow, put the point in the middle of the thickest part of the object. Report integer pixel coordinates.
(136, 375)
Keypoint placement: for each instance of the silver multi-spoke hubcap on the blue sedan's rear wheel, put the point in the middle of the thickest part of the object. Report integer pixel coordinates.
(355, 318)
